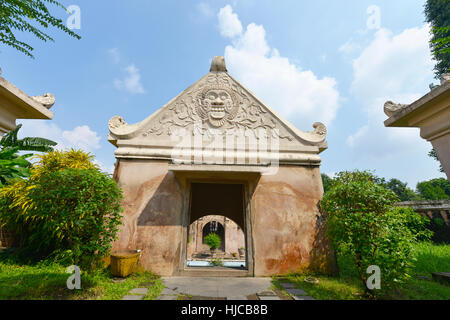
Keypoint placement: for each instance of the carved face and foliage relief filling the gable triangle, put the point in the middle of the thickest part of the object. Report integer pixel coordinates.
(216, 103)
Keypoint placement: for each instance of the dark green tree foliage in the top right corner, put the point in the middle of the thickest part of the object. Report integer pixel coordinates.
(437, 13)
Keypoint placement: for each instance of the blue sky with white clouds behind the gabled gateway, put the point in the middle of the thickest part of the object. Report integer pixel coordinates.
(331, 61)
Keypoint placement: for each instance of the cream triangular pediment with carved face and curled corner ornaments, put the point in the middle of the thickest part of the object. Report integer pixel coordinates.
(217, 104)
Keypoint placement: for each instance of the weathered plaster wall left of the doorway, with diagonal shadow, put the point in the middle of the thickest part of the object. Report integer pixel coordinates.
(153, 207)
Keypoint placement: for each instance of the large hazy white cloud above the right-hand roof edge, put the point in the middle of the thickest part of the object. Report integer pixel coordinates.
(391, 67)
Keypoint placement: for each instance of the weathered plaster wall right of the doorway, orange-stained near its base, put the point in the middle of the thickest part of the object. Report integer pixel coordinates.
(288, 229)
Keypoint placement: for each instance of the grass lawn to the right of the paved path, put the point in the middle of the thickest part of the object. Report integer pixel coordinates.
(429, 258)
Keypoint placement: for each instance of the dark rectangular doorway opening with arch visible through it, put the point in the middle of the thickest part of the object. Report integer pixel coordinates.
(218, 208)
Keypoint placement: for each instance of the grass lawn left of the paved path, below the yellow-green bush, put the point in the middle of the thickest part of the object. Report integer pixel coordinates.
(48, 282)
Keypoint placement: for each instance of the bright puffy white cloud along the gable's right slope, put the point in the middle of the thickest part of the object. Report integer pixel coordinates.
(299, 95)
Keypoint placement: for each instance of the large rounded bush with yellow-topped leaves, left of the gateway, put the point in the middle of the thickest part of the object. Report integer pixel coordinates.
(68, 210)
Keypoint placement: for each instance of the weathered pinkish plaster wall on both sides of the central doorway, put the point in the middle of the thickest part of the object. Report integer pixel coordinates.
(287, 226)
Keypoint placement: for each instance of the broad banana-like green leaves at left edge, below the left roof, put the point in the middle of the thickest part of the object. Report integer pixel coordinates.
(14, 166)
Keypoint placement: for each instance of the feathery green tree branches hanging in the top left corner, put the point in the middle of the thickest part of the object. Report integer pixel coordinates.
(28, 16)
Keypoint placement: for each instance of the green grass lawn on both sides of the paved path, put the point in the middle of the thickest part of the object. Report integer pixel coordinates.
(42, 282)
